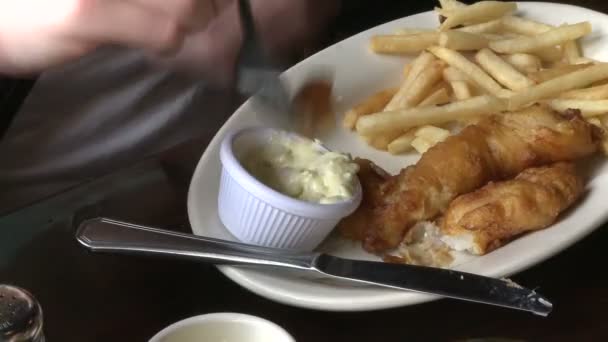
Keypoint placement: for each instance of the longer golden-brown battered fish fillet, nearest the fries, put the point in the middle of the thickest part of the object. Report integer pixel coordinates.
(498, 147)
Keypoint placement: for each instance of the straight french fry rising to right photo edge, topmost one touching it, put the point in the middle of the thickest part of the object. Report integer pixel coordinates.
(556, 86)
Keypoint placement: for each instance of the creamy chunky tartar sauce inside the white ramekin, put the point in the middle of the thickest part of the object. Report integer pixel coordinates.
(301, 169)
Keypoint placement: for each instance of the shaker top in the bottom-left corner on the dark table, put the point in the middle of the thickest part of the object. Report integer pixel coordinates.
(20, 316)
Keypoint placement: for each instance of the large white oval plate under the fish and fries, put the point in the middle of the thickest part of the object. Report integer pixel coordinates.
(359, 72)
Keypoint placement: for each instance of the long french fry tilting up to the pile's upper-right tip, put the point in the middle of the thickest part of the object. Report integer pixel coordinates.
(543, 40)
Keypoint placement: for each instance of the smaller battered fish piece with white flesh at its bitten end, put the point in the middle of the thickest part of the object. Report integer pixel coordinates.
(484, 220)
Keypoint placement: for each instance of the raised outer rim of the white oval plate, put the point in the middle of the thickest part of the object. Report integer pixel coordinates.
(388, 298)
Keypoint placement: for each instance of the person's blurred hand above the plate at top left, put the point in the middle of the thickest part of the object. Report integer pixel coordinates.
(200, 35)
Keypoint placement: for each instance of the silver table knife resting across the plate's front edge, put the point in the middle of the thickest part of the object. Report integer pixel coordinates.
(106, 235)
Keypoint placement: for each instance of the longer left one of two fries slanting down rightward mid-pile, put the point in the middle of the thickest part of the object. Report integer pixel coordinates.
(473, 72)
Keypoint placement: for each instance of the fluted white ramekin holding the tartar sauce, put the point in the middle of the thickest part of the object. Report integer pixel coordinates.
(257, 214)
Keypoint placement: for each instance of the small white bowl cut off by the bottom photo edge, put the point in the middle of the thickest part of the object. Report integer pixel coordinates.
(225, 327)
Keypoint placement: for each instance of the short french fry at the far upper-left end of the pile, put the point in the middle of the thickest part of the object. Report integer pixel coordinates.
(403, 44)
